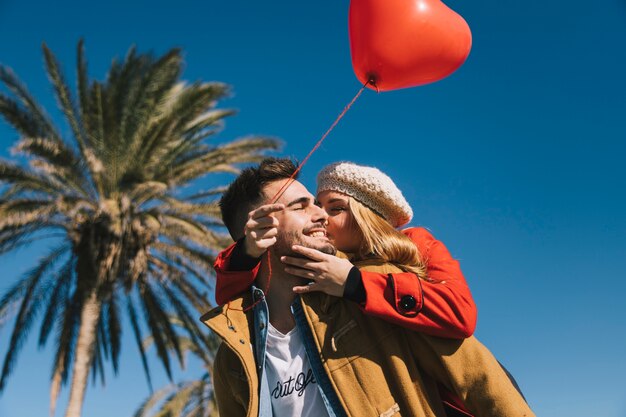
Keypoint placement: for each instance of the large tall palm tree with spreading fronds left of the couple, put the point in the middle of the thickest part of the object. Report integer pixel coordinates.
(129, 239)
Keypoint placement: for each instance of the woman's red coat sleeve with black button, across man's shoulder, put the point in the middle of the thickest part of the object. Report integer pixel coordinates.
(440, 306)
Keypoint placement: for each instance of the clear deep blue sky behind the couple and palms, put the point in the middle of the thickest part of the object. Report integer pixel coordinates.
(516, 162)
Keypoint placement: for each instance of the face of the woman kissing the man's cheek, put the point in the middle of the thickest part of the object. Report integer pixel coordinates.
(342, 229)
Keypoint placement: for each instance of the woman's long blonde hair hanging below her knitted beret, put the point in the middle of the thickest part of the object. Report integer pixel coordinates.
(381, 240)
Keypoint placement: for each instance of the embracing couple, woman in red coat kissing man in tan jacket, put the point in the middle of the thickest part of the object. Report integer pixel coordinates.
(382, 328)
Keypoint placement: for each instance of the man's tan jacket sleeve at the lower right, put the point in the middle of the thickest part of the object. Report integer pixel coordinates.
(468, 369)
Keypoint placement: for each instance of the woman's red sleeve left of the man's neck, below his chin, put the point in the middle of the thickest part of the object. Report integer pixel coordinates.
(230, 283)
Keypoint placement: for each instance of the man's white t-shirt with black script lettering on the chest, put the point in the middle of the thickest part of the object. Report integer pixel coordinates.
(293, 388)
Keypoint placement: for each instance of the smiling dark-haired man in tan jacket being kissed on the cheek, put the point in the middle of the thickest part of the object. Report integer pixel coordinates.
(318, 355)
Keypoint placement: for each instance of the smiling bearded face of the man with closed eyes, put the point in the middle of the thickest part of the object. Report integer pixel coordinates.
(301, 222)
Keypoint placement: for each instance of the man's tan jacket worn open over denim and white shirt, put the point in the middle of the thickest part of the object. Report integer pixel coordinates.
(376, 369)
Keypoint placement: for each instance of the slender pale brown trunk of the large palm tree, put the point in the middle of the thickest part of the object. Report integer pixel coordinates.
(83, 355)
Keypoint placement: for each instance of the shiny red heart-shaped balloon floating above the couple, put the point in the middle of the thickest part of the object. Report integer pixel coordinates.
(406, 43)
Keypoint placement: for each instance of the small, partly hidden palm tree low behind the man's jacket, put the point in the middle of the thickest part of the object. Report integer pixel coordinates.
(193, 398)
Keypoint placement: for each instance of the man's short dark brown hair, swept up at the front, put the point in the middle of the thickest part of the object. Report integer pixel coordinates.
(246, 192)
